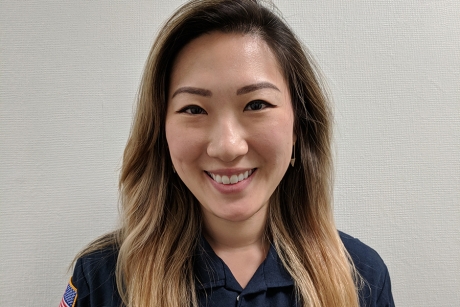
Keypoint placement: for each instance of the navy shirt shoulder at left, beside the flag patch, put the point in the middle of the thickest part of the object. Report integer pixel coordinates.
(94, 279)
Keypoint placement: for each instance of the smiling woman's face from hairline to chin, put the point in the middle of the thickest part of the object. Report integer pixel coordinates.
(229, 124)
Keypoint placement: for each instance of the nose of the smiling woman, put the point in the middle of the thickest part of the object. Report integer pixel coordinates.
(228, 140)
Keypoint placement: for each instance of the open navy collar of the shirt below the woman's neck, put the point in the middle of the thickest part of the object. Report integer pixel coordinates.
(211, 271)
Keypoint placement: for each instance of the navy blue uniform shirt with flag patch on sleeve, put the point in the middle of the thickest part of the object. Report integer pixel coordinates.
(94, 281)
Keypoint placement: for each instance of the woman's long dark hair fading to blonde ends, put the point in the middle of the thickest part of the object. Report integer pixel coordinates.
(161, 219)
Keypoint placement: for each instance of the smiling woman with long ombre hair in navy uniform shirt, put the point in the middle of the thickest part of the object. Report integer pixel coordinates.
(226, 178)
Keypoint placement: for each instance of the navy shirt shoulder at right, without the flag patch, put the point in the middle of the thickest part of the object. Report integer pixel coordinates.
(376, 290)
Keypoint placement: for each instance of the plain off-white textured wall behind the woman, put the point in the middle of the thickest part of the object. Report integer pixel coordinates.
(68, 79)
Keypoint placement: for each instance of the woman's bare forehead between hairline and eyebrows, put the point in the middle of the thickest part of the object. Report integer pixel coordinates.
(233, 56)
